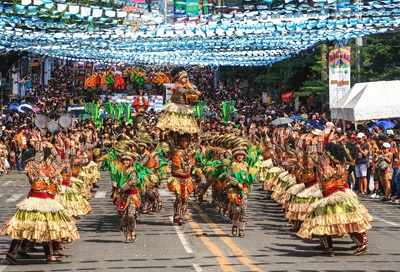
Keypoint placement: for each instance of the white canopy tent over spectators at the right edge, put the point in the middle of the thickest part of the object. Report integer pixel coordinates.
(371, 100)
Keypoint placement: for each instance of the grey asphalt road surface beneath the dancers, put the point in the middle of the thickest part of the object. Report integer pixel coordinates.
(204, 242)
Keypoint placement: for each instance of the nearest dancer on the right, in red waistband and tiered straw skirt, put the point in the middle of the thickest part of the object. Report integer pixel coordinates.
(336, 214)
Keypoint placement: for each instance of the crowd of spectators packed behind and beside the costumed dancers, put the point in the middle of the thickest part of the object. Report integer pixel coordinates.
(251, 115)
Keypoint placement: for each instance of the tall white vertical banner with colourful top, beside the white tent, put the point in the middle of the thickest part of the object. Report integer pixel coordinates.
(339, 73)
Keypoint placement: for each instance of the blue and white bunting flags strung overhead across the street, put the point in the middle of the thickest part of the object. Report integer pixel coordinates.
(273, 31)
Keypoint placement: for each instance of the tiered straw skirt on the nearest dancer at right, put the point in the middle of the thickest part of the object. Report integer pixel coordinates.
(336, 215)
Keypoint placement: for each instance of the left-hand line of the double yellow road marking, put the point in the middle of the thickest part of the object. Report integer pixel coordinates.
(223, 262)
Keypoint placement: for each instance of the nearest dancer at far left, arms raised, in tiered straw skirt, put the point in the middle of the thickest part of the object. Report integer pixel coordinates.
(40, 216)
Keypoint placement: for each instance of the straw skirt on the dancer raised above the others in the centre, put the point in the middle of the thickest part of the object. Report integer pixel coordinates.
(178, 118)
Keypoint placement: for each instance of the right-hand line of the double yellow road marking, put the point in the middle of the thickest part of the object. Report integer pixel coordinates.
(227, 240)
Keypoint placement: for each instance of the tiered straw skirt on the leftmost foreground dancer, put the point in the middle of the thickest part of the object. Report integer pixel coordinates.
(40, 219)
